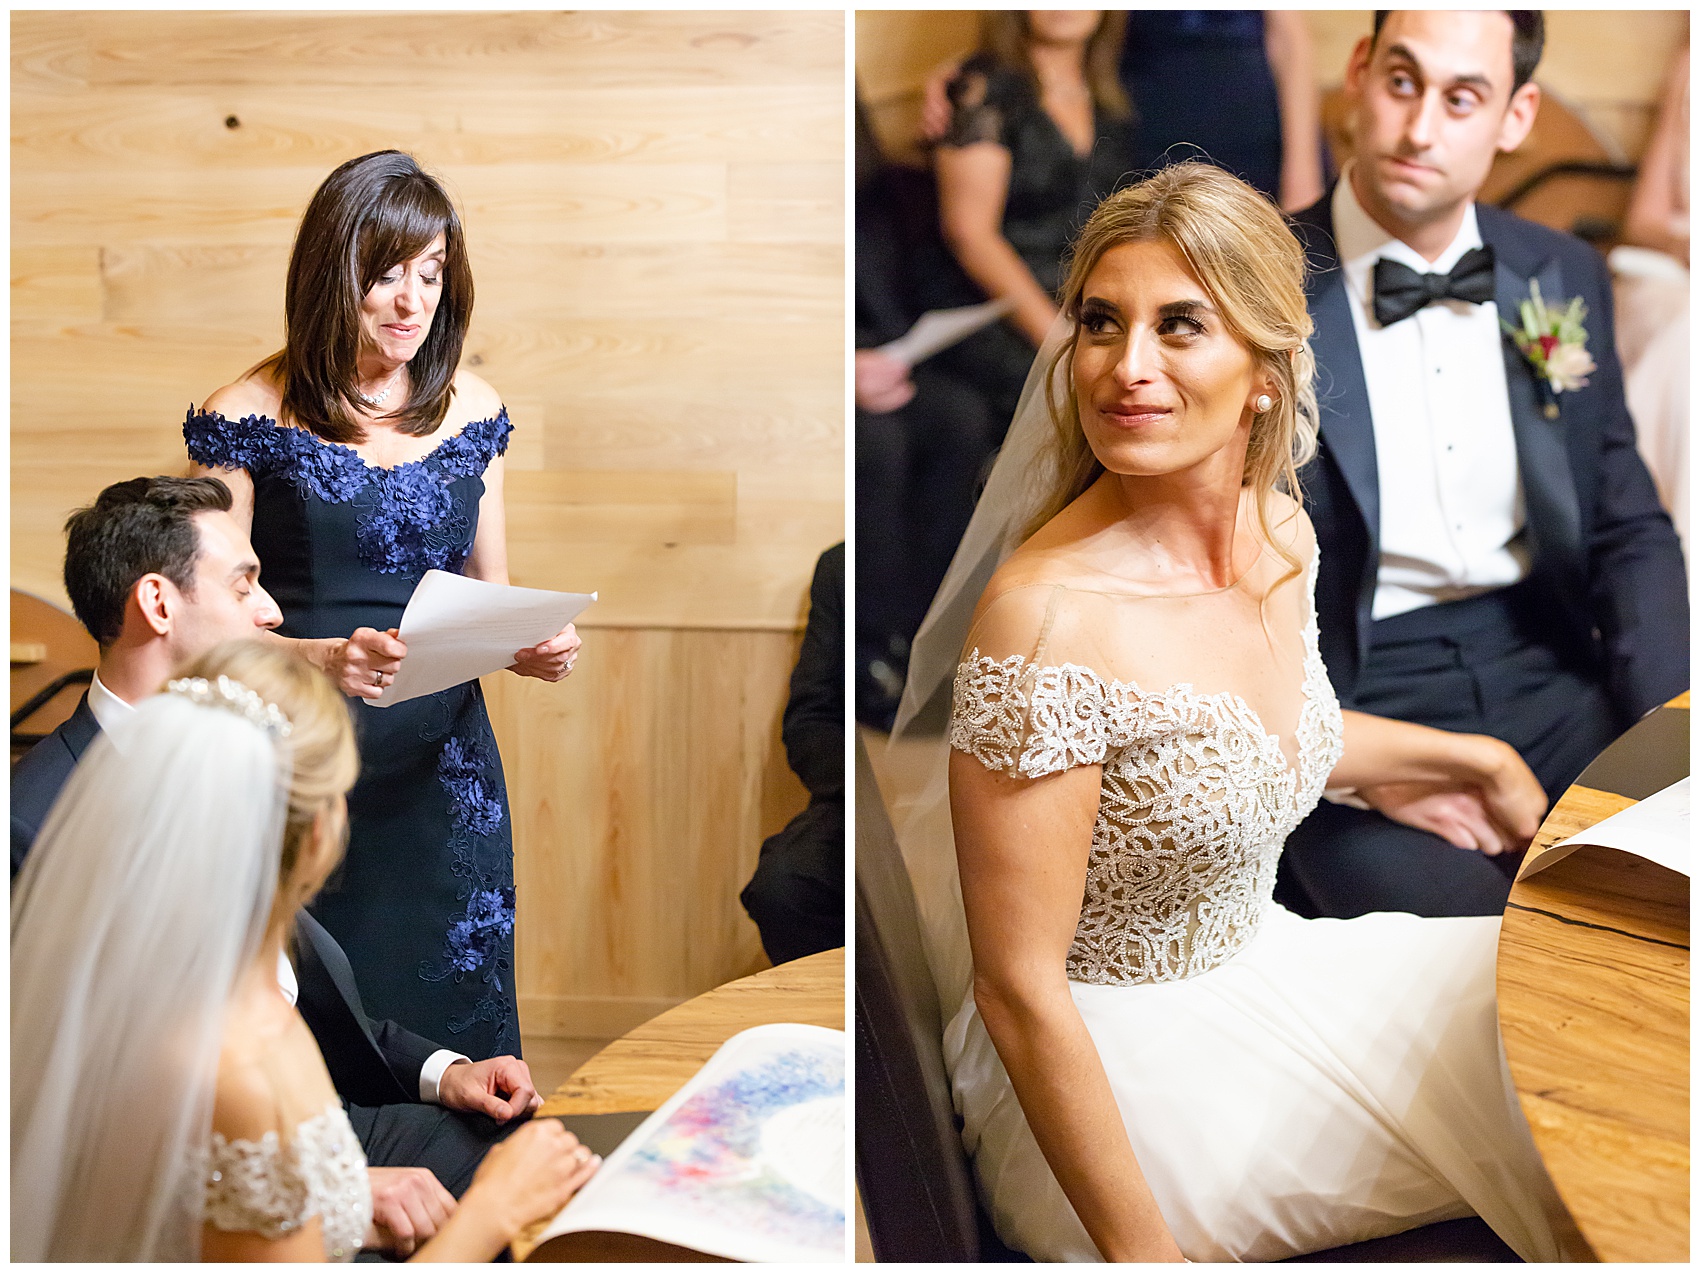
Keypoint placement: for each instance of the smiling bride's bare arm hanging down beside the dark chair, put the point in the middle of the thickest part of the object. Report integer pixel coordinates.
(1023, 851)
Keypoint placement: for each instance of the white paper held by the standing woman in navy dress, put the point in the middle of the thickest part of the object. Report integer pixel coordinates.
(458, 630)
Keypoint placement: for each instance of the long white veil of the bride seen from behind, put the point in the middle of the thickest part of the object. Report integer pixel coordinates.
(145, 897)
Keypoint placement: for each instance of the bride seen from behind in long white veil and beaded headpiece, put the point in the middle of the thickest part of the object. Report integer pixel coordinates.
(167, 1102)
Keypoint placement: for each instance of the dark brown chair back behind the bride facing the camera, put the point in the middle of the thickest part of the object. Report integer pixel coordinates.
(910, 1165)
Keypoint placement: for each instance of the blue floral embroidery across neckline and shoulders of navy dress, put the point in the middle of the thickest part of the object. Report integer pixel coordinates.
(411, 519)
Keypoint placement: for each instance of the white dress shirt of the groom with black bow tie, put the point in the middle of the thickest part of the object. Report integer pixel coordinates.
(1446, 455)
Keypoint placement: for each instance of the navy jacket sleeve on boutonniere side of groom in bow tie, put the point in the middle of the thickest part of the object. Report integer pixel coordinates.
(1636, 579)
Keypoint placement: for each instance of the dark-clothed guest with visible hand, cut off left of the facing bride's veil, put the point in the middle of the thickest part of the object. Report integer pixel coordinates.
(922, 434)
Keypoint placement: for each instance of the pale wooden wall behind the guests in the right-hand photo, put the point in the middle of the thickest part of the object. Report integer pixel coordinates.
(1606, 64)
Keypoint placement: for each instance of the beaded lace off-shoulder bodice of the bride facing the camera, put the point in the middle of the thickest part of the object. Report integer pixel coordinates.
(1196, 803)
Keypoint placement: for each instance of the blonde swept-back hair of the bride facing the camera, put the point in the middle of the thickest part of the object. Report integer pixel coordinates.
(1252, 266)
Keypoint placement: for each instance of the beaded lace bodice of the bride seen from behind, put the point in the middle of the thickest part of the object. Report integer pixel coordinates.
(273, 1191)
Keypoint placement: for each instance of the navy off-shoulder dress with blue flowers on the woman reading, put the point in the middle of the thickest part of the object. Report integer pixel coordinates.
(424, 902)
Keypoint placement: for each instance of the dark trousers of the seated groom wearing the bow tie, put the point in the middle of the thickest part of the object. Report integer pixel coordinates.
(1476, 667)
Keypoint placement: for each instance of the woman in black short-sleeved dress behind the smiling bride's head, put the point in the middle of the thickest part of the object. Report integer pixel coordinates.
(1040, 133)
